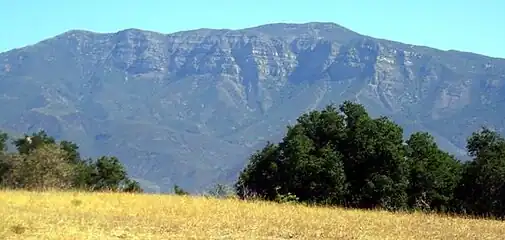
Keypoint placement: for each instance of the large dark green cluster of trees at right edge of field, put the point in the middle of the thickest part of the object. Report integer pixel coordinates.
(342, 156)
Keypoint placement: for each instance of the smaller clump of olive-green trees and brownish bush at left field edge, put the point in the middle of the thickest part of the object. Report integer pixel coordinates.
(41, 162)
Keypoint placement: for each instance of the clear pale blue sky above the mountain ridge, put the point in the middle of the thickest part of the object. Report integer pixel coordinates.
(467, 25)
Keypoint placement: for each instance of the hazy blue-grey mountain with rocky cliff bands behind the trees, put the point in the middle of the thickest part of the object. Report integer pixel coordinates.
(188, 108)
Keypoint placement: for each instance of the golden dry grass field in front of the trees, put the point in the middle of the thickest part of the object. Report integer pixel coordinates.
(66, 215)
